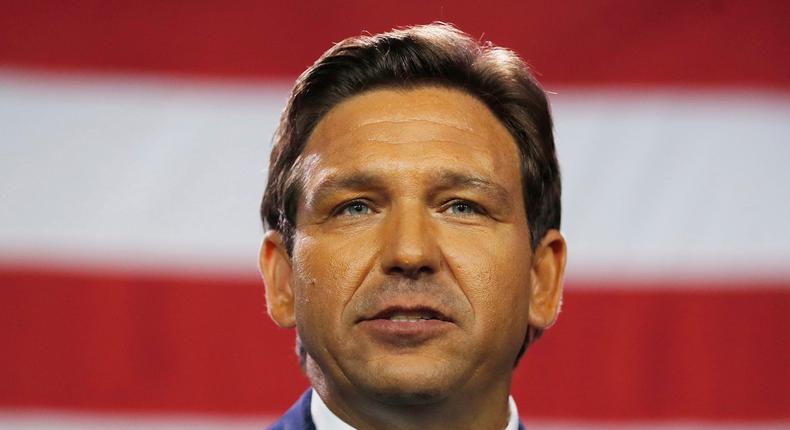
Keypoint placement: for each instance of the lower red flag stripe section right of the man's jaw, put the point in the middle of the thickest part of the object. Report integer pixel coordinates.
(706, 354)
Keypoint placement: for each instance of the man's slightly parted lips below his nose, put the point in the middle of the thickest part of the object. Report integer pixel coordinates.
(405, 333)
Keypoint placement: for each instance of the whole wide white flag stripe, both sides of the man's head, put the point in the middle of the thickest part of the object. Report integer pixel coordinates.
(169, 174)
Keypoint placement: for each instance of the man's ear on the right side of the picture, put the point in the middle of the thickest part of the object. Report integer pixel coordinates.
(548, 269)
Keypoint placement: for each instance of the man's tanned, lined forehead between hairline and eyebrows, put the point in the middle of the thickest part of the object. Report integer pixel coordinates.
(412, 129)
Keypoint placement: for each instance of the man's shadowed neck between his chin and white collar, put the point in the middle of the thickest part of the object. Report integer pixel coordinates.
(466, 408)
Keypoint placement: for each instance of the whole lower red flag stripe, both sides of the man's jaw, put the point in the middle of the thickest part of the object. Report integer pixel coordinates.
(104, 341)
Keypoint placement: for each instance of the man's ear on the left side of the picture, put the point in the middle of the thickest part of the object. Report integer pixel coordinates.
(275, 267)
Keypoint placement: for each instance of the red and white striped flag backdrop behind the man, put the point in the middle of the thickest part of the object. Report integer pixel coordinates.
(134, 139)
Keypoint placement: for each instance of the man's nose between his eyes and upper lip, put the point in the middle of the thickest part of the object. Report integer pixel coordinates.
(410, 246)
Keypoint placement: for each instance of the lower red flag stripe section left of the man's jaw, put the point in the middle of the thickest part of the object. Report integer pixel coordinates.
(138, 342)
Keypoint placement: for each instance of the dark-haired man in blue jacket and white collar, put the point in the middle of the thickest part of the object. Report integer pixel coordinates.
(413, 208)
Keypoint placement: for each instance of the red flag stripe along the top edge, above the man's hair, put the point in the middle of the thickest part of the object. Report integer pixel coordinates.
(607, 42)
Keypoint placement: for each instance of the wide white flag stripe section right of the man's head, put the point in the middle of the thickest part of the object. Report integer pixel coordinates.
(675, 182)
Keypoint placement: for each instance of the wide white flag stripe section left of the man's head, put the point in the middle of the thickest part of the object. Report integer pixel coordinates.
(149, 172)
